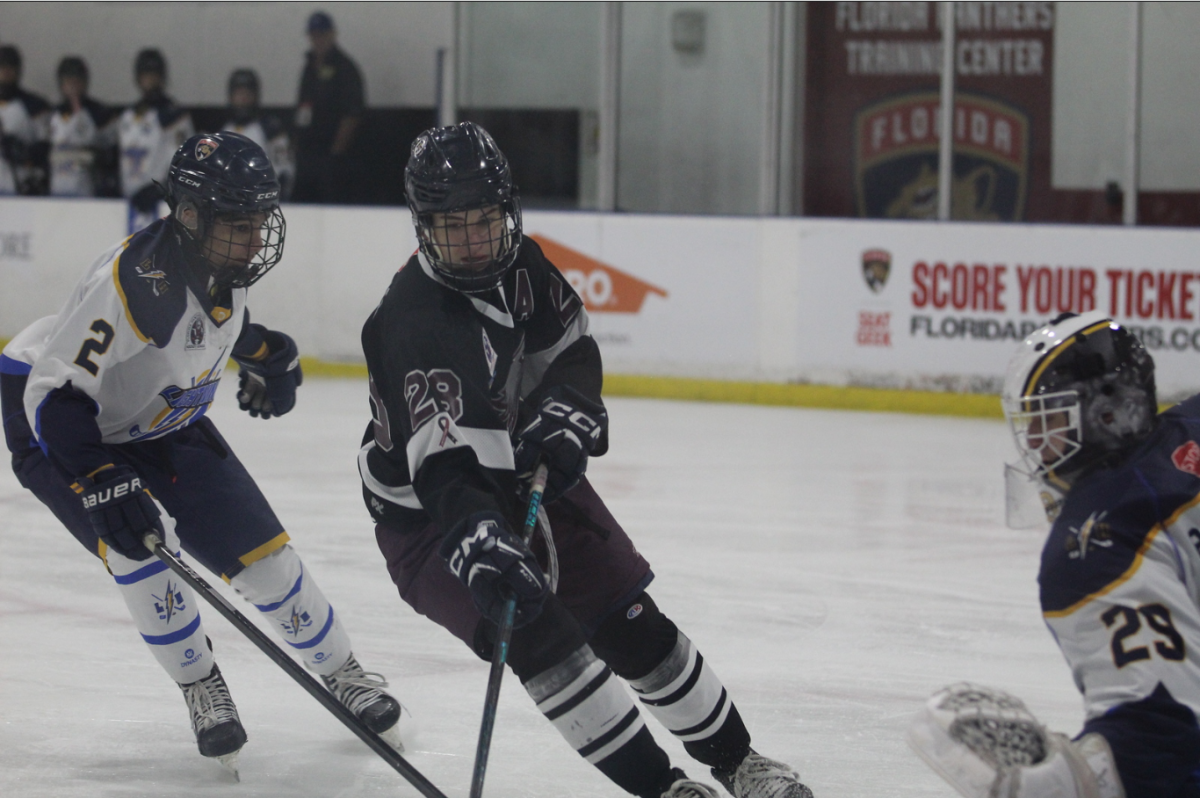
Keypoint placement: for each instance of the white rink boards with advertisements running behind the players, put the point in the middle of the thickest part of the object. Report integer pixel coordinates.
(715, 301)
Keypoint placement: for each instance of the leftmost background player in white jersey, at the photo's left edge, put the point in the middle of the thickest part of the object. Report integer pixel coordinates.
(25, 130)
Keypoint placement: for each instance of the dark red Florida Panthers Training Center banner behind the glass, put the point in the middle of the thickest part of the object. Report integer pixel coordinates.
(874, 110)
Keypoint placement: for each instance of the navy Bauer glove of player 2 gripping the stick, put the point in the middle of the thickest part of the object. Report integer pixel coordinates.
(122, 511)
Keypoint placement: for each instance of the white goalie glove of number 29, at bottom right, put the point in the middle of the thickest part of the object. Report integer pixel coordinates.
(987, 745)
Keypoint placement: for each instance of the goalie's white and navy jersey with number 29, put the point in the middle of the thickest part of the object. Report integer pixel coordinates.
(1120, 586)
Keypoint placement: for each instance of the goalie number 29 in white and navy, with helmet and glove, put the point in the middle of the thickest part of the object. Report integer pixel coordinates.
(1120, 583)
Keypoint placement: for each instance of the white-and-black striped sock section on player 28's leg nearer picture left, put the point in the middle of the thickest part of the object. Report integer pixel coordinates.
(587, 705)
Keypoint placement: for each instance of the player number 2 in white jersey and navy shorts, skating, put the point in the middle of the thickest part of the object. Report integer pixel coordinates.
(105, 413)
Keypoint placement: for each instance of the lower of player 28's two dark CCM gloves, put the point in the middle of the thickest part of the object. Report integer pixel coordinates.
(495, 566)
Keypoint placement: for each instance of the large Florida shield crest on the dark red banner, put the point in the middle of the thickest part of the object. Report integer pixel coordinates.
(897, 149)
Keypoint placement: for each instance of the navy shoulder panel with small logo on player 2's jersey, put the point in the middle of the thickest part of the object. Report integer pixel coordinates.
(153, 292)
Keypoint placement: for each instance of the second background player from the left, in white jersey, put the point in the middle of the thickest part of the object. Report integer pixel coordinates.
(82, 141)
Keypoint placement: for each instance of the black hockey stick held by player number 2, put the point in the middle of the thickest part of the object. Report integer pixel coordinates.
(293, 669)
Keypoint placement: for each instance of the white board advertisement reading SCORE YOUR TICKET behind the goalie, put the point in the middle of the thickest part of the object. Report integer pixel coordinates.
(943, 308)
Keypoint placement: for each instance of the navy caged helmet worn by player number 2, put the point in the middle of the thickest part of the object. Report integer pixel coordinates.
(218, 181)
